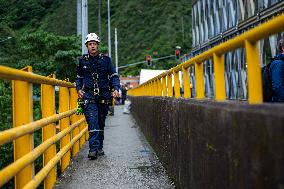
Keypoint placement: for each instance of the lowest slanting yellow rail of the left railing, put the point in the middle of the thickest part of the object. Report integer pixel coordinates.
(43, 172)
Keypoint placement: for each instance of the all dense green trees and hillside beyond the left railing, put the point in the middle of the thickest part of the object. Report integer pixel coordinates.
(42, 34)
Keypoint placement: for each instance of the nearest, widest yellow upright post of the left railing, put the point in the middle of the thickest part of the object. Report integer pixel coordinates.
(22, 93)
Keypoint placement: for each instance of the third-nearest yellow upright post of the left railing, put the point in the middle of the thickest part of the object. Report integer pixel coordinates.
(64, 123)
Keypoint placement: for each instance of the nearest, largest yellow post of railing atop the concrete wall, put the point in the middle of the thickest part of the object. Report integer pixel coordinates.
(254, 73)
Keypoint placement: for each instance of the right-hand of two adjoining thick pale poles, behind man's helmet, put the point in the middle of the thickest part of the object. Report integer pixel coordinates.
(84, 24)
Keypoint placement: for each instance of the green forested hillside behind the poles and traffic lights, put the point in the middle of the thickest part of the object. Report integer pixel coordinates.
(144, 26)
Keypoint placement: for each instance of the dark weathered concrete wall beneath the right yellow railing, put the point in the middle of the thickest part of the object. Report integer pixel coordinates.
(205, 144)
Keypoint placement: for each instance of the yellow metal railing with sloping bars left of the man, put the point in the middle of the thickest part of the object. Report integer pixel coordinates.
(72, 135)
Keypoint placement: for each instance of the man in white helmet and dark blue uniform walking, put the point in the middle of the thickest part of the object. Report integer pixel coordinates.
(96, 83)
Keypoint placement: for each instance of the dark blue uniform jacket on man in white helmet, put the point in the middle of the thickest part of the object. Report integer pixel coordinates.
(108, 79)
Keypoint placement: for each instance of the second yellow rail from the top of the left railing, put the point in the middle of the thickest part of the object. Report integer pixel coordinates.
(13, 133)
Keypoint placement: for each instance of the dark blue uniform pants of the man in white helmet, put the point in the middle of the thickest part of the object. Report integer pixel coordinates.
(95, 114)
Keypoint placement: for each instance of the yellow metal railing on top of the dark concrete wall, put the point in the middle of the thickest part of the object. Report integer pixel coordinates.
(248, 40)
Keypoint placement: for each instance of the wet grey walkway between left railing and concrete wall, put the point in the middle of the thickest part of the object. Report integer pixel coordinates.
(129, 161)
